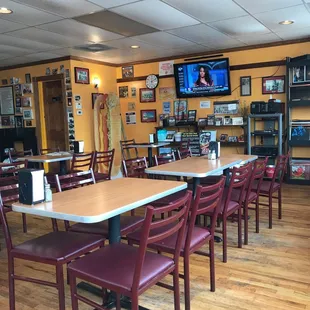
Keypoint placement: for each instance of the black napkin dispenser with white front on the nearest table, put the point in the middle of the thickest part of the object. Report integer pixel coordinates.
(31, 186)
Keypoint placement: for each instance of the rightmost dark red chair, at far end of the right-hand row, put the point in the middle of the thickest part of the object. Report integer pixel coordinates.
(270, 187)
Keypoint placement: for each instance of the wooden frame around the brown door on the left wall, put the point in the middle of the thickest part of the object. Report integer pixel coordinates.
(49, 78)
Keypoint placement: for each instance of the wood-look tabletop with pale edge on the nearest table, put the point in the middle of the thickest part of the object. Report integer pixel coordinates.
(99, 202)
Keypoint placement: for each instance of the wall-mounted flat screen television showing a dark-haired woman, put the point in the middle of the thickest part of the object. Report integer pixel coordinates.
(203, 78)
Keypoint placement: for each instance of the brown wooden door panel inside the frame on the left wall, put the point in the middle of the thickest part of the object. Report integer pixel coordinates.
(54, 114)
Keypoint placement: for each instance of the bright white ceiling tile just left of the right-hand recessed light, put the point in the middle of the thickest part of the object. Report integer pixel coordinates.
(240, 26)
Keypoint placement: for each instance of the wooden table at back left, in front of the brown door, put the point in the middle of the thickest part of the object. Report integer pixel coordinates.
(50, 158)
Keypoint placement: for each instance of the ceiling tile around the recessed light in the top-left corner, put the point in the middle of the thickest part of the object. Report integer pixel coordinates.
(27, 15)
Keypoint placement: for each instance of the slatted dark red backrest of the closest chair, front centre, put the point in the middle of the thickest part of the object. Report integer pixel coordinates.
(173, 224)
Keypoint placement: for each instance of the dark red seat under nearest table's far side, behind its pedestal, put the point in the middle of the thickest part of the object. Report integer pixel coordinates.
(128, 224)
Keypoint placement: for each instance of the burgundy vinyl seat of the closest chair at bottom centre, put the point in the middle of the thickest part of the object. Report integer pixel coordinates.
(114, 267)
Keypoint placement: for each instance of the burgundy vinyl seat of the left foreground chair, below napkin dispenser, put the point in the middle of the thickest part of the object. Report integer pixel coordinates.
(57, 246)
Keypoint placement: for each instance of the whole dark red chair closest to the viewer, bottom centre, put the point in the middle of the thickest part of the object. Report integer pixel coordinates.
(129, 270)
